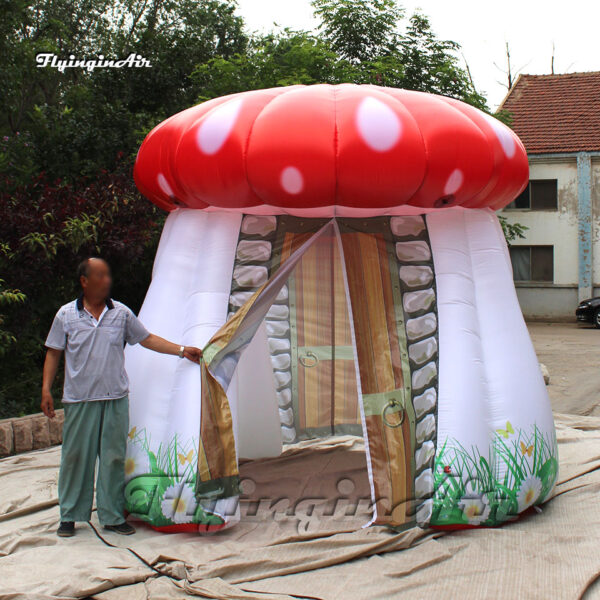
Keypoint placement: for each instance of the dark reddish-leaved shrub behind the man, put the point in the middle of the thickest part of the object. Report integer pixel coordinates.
(46, 228)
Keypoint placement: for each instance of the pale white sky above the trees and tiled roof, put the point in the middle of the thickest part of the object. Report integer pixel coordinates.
(482, 28)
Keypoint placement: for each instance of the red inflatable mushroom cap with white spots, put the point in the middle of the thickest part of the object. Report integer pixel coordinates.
(303, 149)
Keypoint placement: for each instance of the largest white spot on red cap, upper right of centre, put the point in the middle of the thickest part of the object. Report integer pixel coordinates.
(378, 125)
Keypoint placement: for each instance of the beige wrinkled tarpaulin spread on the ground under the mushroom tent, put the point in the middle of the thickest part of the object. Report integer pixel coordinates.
(272, 555)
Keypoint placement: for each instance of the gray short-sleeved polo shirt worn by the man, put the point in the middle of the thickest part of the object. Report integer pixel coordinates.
(94, 357)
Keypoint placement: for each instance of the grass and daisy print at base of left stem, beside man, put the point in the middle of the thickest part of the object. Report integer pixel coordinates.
(160, 486)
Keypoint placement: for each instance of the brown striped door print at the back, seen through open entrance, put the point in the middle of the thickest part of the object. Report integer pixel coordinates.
(324, 393)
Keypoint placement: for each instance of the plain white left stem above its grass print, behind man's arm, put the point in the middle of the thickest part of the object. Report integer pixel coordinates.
(186, 303)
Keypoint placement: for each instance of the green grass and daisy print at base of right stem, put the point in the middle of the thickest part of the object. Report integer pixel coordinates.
(469, 489)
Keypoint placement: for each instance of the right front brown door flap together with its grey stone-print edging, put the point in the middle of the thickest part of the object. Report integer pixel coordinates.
(391, 282)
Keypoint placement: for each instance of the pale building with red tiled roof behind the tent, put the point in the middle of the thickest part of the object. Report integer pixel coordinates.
(558, 119)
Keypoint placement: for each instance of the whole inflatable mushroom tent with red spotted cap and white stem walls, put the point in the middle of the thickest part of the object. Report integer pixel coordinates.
(334, 250)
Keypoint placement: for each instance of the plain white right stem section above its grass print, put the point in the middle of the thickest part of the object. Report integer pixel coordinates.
(488, 370)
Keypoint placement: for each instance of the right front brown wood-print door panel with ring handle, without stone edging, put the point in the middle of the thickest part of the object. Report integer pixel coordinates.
(383, 362)
